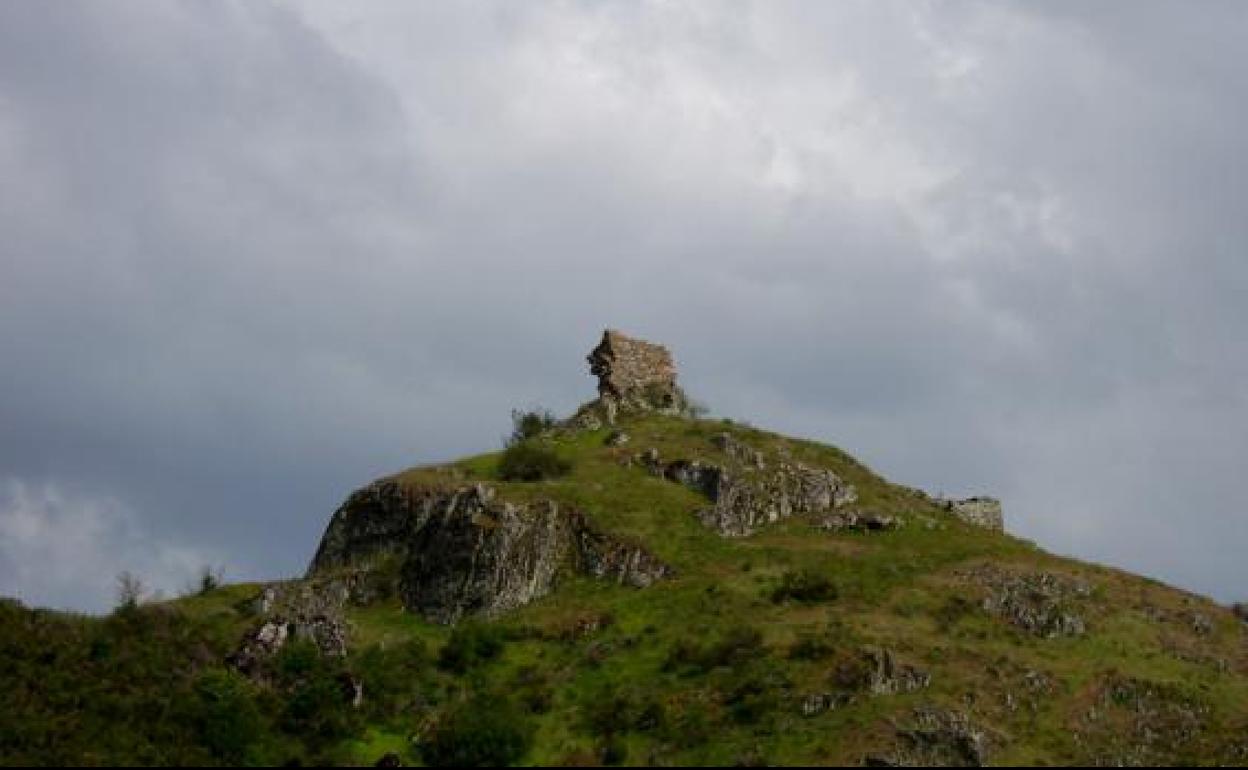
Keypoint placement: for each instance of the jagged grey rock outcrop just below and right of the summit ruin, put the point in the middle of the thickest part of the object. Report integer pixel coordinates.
(746, 500)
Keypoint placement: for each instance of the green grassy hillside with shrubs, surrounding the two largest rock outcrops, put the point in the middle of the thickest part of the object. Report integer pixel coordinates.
(939, 643)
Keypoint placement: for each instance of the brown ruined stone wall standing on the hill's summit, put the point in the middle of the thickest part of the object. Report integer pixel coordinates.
(635, 374)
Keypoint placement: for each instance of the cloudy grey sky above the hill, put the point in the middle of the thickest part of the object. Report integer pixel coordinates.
(255, 255)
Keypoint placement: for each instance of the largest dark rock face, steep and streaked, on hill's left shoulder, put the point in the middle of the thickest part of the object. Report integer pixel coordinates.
(460, 552)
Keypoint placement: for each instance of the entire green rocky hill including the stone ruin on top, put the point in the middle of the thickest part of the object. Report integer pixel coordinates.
(641, 585)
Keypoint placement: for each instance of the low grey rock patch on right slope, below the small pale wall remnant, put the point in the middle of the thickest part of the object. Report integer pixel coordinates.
(1040, 603)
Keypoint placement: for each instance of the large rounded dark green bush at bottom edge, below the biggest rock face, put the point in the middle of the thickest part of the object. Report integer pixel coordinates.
(482, 733)
